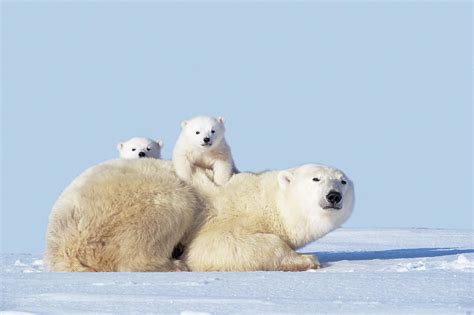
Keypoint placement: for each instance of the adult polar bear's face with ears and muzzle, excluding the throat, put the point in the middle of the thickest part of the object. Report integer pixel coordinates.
(318, 190)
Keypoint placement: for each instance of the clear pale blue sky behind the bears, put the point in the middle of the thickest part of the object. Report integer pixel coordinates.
(380, 90)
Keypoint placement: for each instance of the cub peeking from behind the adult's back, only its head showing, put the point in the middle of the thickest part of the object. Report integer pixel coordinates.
(136, 148)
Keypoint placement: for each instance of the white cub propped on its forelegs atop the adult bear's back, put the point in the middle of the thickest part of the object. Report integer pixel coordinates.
(201, 143)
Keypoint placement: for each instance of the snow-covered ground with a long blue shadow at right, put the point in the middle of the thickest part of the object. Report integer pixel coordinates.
(365, 271)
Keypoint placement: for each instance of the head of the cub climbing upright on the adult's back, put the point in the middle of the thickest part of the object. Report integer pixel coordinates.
(203, 132)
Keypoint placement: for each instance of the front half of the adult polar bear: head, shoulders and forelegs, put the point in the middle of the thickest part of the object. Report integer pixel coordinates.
(256, 221)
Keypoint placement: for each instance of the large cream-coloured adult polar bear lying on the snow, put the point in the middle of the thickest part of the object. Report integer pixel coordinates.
(128, 215)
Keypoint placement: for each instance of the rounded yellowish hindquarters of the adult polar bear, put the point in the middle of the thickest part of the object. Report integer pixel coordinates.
(121, 215)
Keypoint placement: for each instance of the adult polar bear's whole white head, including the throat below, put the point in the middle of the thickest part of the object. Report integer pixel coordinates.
(314, 200)
